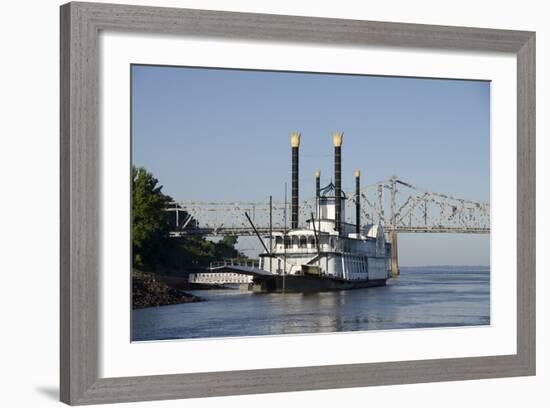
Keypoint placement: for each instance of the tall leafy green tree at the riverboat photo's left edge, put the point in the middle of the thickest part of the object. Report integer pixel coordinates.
(149, 221)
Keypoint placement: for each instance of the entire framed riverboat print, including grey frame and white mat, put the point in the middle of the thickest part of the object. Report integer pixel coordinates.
(310, 203)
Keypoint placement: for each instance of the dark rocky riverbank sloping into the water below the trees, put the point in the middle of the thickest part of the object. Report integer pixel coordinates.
(149, 292)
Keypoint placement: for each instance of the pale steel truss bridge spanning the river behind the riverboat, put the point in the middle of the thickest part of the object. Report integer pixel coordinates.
(399, 206)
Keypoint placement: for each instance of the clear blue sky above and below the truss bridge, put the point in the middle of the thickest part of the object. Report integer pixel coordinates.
(214, 134)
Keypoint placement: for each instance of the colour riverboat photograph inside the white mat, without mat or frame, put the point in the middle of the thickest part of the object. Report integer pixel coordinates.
(277, 203)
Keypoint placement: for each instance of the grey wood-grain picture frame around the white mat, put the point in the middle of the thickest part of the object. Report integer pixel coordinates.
(80, 192)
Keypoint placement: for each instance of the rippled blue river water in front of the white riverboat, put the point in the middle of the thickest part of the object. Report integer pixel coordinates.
(420, 297)
